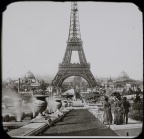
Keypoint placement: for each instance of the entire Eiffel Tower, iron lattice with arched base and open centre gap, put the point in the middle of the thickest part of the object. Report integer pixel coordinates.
(74, 43)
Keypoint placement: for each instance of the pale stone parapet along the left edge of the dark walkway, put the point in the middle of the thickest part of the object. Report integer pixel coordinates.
(32, 129)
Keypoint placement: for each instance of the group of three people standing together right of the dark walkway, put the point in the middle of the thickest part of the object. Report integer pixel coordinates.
(121, 110)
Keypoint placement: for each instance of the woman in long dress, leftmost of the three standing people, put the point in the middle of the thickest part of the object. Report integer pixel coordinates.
(107, 117)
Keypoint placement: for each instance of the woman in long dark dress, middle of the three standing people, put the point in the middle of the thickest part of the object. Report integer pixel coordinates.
(118, 112)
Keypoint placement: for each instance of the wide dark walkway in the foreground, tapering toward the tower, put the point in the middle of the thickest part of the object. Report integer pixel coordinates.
(79, 122)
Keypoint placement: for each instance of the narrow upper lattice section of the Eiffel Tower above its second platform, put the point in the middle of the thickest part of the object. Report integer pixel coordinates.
(74, 30)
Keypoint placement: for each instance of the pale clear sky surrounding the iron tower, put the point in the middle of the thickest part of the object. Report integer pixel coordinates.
(34, 36)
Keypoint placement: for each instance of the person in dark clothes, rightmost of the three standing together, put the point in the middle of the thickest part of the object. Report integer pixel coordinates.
(126, 106)
